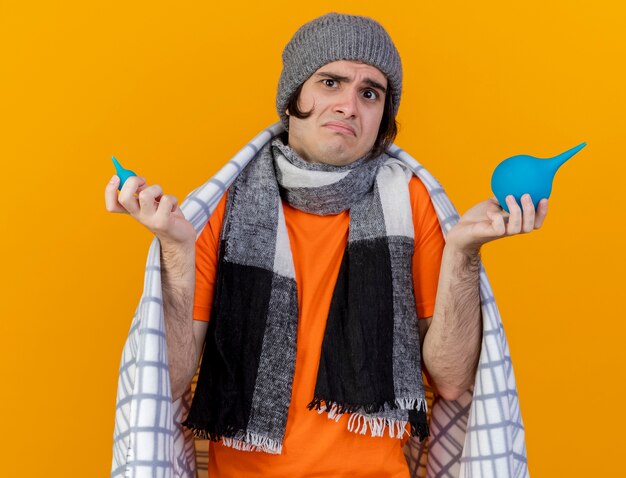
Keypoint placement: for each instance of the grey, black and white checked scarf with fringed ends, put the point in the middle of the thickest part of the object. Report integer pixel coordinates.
(370, 365)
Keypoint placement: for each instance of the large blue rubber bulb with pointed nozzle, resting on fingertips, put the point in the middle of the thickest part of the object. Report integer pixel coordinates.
(523, 174)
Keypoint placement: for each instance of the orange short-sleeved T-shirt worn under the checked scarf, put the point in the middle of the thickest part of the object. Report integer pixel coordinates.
(315, 446)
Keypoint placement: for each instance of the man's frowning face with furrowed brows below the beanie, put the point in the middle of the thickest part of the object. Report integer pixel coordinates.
(347, 100)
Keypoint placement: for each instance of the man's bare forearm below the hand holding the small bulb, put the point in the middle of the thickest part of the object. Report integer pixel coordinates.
(178, 283)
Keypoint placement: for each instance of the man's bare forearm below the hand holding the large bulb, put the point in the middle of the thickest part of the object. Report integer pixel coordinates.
(452, 343)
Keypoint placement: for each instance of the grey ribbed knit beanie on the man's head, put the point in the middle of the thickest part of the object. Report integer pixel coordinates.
(334, 37)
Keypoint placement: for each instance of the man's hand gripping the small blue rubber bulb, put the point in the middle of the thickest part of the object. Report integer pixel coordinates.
(157, 211)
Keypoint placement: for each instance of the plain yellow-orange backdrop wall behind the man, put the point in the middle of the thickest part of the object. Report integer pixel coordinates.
(173, 89)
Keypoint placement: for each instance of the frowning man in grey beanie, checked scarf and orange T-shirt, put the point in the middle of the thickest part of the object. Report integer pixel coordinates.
(314, 270)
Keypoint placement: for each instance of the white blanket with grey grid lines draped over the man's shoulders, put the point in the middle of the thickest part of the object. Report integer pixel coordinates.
(479, 435)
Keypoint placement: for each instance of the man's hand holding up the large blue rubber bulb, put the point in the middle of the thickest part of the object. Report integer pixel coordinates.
(487, 221)
